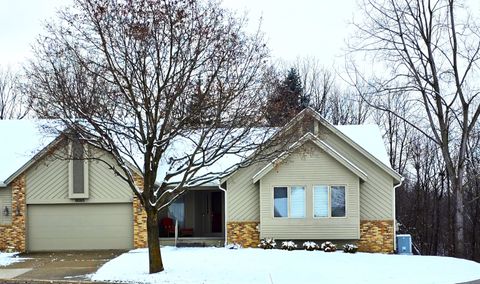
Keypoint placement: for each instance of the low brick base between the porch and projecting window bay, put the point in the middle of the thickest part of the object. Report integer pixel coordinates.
(245, 233)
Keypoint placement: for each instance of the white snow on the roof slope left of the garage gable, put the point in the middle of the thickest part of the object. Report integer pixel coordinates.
(20, 141)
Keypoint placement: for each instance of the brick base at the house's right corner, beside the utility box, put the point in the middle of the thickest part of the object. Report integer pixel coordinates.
(376, 236)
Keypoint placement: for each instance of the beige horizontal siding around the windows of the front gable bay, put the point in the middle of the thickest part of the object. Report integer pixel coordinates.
(309, 166)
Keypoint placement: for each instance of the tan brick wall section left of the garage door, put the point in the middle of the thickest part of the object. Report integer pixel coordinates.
(13, 235)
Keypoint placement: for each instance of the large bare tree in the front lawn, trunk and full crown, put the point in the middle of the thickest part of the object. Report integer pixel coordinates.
(138, 78)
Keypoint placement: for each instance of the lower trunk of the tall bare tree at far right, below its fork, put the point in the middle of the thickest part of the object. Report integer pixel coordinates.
(459, 216)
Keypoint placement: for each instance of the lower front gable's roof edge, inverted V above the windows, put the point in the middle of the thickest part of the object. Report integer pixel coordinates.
(322, 145)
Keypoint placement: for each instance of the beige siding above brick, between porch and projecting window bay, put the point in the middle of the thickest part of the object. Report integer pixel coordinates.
(243, 202)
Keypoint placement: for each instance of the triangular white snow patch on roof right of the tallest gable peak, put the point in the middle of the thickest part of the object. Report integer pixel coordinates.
(369, 137)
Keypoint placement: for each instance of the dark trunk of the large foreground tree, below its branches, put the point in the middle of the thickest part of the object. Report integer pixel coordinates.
(154, 255)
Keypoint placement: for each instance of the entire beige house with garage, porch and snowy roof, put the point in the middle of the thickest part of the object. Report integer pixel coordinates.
(332, 183)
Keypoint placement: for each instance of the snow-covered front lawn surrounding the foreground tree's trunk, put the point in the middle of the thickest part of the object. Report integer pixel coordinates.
(221, 265)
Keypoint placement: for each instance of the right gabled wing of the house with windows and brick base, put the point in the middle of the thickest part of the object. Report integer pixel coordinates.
(335, 183)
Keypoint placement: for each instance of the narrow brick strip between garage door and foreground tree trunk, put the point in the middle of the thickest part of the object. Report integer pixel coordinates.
(139, 219)
